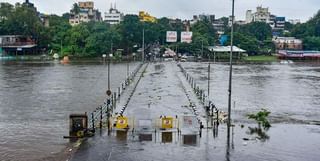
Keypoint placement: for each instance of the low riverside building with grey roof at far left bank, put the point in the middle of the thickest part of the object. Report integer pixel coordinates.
(17, 44)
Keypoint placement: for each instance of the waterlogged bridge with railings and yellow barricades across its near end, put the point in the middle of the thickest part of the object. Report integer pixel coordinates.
(160, 103)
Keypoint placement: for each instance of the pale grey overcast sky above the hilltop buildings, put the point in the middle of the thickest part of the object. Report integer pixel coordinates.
(184, 9)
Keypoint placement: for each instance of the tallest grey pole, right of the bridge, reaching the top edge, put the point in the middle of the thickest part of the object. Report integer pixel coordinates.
(230, 72)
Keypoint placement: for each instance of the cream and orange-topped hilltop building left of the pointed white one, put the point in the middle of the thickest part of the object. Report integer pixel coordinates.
(86, 13)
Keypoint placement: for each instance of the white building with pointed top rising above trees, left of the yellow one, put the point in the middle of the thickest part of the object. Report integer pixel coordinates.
(114, 16)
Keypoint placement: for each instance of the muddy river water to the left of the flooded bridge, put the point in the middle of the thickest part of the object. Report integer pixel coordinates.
(36, 99)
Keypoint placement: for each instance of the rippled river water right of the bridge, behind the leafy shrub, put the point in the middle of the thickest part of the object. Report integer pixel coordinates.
(290, 91)
